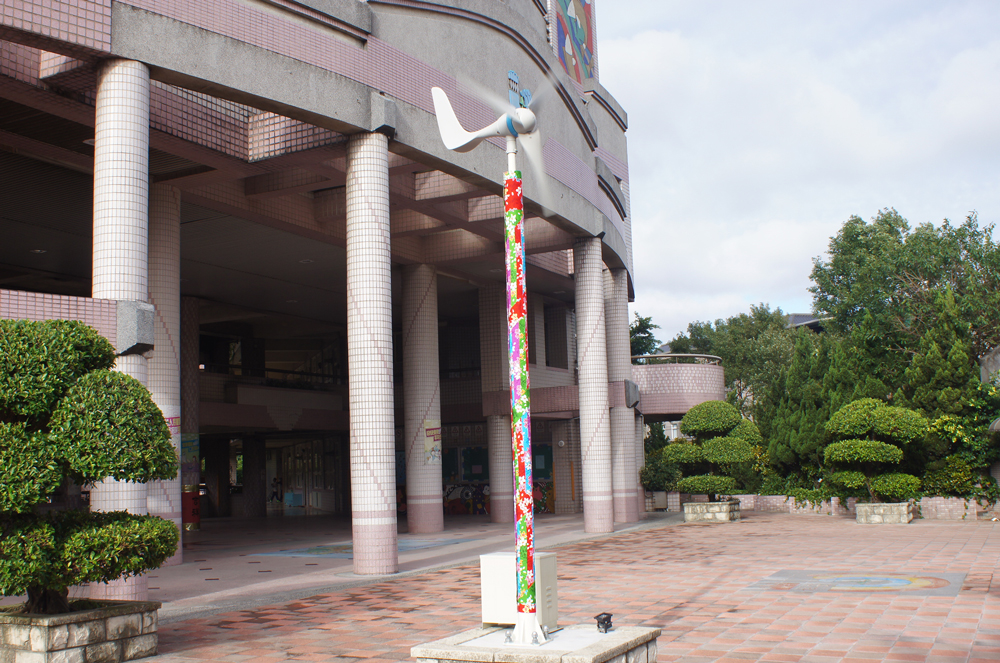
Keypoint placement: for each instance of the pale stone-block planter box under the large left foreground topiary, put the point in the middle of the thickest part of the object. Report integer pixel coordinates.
(120, 631)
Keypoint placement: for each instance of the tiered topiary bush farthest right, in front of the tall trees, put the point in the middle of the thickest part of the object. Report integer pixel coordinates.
(876, 435)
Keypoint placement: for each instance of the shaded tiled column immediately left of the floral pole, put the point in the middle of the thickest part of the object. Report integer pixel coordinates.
(495, 377)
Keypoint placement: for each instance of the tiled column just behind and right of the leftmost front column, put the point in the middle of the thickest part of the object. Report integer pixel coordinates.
(163, 498)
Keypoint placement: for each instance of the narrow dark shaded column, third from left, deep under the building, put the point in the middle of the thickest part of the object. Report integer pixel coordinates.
(190, 410)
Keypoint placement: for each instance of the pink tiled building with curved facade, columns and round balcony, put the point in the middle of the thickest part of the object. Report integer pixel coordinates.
(250, 199)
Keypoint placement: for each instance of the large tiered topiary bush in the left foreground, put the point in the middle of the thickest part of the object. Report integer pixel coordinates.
(65, 416)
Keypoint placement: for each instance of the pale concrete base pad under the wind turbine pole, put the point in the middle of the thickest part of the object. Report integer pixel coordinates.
(572, 644)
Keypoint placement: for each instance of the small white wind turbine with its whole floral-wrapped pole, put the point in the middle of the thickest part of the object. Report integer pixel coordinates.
(516, 124)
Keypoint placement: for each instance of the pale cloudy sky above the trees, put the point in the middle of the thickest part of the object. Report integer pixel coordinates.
(757, 128)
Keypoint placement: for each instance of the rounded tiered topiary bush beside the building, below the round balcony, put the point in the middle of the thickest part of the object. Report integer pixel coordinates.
(723, 446)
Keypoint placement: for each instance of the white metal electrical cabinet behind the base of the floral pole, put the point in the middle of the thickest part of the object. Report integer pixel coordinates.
(498, 579)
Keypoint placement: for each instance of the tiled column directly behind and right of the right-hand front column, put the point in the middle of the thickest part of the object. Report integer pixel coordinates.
(623, 471)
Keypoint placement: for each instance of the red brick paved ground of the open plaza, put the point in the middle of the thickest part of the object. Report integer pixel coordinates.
(690, 580)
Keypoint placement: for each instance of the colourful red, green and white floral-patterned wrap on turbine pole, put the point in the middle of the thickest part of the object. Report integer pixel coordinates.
(520, 408)
